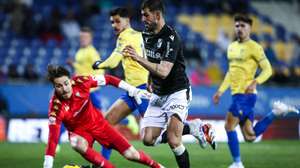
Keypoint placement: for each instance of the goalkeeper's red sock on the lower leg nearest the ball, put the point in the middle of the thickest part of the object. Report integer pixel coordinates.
(97, 159)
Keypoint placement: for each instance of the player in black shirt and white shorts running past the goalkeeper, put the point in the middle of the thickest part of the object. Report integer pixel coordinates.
(168, 107)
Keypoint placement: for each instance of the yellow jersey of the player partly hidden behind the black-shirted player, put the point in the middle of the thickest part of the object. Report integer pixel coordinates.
(135, 74)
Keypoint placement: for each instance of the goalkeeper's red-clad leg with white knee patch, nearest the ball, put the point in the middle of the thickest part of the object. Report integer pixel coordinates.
(82, 143)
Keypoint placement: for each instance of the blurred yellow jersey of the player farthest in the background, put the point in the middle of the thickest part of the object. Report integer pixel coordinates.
(84, 59)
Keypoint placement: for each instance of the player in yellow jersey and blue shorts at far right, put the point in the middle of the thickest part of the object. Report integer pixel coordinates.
(245, 56)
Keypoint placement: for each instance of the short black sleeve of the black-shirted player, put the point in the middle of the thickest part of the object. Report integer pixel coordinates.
(171, 48)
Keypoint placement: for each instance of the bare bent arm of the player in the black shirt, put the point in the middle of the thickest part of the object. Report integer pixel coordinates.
(162, 70)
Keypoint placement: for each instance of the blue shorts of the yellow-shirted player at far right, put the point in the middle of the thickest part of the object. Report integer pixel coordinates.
(242, 106)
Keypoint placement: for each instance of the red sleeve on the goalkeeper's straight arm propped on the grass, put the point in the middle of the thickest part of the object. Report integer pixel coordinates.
(54, 124)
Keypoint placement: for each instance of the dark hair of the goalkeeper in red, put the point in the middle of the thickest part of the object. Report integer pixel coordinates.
(56, 71)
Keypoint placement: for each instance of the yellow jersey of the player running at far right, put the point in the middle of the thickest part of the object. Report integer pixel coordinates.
(244, 59)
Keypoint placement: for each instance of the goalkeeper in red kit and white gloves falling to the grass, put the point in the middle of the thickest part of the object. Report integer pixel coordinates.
(72, 106)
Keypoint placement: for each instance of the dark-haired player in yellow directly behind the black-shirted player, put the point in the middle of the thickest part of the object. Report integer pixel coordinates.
(134, 73)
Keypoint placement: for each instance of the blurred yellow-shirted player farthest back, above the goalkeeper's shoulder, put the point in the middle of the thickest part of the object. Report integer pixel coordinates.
(85, 58)
